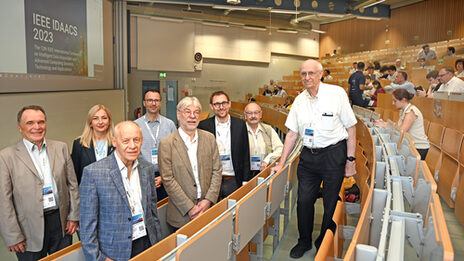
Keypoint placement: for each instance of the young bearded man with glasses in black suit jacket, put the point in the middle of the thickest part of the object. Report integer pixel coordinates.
(232, 140)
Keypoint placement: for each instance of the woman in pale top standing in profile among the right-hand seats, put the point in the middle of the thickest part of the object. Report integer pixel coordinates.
(410, 120)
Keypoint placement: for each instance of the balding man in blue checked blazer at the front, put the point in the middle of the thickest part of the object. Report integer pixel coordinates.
(118, 210)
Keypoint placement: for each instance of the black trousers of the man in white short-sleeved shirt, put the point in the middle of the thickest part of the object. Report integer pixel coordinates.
(327, 166)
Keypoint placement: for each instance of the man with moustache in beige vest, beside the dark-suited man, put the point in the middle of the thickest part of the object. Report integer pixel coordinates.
(265, 144)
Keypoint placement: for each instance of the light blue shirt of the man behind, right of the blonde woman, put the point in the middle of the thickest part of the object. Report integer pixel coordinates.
(157, 129)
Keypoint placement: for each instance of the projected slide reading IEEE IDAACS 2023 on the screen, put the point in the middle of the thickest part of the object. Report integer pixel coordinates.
(51, 37)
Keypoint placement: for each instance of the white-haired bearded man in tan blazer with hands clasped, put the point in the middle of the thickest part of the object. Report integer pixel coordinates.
(190, 166)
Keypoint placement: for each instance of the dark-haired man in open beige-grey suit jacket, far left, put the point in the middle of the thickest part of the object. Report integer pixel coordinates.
(39, 195)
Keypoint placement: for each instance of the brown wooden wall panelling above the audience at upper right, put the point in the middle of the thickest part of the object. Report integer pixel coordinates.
(424, 22)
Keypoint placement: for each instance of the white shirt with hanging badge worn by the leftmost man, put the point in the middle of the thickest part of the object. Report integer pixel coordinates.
(42, 165)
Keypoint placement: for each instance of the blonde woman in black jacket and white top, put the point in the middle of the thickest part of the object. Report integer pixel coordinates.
(95, 141)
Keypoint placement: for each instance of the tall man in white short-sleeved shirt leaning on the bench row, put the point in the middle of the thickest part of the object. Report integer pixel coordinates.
(321, 115)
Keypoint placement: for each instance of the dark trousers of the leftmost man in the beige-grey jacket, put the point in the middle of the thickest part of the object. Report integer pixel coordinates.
(53, 239)
